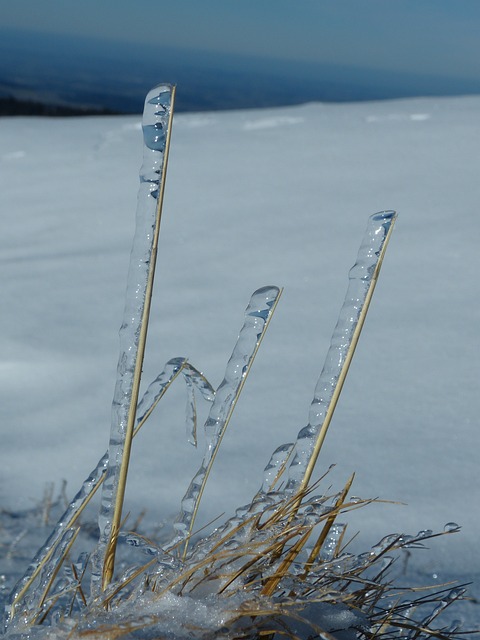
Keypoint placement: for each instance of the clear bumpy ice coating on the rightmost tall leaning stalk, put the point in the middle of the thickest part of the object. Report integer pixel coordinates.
(361, 276)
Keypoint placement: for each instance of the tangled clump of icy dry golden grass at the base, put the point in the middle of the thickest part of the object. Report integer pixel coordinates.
(276, 569)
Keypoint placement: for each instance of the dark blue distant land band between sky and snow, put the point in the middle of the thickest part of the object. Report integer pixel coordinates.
(56, 75)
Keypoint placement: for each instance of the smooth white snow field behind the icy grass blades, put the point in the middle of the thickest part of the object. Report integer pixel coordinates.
(253, 198)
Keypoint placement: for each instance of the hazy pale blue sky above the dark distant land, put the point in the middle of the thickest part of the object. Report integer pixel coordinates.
(429, 36)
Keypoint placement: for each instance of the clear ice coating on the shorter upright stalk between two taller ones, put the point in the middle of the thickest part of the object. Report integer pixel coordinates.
(257, 315)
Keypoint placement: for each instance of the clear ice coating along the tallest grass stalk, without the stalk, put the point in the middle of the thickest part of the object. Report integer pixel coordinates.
(155, 124)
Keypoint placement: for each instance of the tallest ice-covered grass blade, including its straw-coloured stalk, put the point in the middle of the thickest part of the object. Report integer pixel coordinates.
(157, 126)
